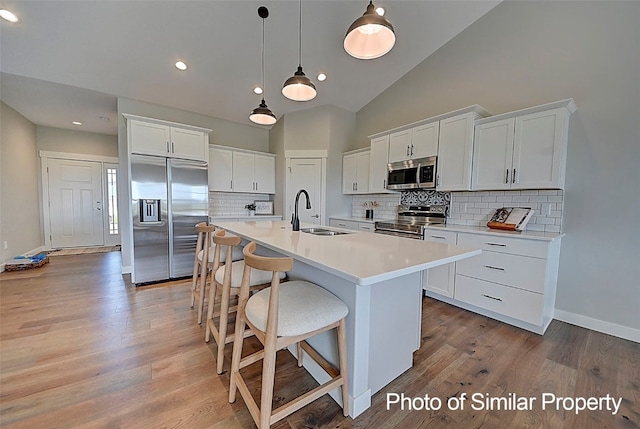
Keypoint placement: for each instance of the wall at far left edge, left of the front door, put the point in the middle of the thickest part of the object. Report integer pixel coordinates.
(19, 197)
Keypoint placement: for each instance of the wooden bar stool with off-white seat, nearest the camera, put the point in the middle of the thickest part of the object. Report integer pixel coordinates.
(279, 316)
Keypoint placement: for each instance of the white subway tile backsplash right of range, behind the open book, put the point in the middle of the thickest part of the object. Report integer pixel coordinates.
(476, 208)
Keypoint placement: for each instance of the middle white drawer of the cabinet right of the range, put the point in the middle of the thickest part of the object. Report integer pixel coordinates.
(522, 272)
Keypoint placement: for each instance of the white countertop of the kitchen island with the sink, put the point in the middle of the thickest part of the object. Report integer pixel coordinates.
(359, 257)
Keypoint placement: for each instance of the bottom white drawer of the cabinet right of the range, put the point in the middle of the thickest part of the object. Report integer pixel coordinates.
(516, 303)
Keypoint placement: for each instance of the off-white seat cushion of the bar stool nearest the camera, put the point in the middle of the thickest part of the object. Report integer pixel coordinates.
(303, 307)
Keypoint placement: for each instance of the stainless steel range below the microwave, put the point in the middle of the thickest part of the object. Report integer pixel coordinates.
(411, 220)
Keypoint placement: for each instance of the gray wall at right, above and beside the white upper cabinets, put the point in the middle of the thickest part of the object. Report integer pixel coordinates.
(522, 54)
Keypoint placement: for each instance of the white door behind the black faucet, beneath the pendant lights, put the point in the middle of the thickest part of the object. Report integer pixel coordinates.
(305, 173)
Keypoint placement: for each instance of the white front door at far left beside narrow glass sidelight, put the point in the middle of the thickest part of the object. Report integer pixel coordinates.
(75, 203)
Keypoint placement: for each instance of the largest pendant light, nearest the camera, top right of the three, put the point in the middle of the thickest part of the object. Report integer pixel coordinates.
(370, 36)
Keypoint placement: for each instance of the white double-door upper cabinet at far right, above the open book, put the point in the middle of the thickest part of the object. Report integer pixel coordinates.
(524, 149)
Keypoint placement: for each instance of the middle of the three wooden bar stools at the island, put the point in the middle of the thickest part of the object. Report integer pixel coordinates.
(226, 280)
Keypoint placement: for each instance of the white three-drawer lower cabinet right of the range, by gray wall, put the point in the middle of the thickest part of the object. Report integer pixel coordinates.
(513, 280)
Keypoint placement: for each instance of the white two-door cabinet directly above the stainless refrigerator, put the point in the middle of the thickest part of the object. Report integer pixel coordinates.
(160, 138)
